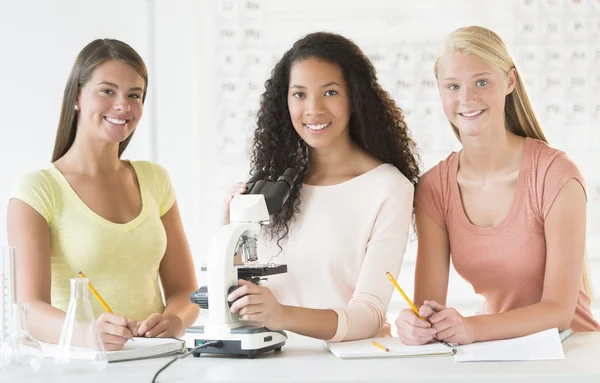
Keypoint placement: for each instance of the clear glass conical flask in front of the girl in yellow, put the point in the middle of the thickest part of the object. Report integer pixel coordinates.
(80, 347)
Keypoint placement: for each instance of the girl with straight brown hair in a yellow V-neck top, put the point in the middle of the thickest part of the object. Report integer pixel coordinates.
(116, 221)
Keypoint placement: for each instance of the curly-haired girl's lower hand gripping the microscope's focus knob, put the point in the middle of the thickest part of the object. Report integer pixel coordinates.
(257, 304)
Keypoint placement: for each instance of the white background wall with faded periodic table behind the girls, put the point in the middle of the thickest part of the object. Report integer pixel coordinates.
(208, 60)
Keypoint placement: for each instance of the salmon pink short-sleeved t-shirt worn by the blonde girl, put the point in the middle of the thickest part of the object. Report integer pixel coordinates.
(505, 263)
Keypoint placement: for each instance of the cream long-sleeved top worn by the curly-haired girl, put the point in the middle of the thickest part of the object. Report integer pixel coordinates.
(340, 246)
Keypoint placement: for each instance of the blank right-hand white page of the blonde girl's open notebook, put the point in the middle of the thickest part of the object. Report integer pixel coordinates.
(544, 345)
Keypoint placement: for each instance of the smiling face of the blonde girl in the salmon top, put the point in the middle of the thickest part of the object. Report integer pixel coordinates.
(473, 93)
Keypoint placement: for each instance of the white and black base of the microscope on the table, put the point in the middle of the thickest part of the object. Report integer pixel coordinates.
(247, 340)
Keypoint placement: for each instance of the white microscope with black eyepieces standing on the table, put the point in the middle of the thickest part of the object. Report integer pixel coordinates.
(247, 213)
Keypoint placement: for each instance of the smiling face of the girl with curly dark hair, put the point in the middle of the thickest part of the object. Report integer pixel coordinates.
(319, 103)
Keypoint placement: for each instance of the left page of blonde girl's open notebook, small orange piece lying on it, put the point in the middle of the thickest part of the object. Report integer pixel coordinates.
(366, 349)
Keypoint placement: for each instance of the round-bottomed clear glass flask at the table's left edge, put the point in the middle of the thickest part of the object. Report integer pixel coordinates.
(20, 354)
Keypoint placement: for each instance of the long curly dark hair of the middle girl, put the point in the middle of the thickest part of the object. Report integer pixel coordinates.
(376, 123)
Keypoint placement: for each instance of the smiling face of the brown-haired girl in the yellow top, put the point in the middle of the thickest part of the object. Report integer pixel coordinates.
(110, 103)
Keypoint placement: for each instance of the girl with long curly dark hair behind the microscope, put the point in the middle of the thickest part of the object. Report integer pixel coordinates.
(346, 222)
